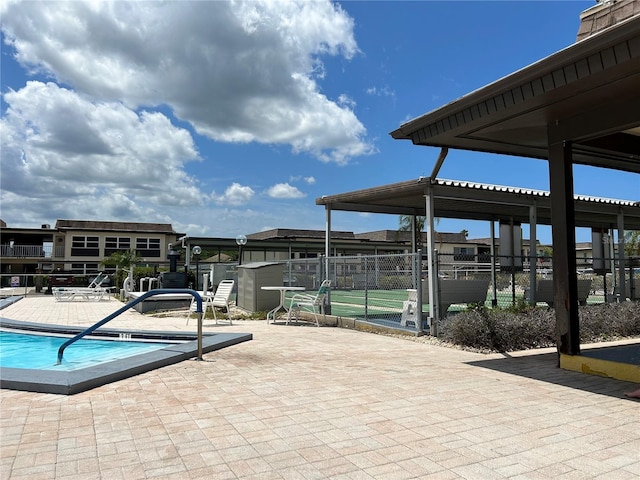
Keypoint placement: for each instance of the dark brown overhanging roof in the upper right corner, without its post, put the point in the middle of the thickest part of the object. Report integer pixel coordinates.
(587, 94)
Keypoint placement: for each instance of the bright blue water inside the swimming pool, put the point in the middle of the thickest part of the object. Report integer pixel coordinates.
(19, 350)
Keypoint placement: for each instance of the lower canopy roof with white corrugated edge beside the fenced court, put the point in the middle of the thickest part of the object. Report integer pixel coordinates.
(478, 201)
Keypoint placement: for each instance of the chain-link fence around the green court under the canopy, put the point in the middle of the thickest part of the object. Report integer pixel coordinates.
(393, 290)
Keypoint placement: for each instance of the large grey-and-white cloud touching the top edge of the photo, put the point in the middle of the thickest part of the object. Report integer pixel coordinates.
(237, 71)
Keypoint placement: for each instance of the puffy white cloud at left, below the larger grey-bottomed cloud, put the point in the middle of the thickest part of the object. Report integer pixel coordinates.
(56, 142)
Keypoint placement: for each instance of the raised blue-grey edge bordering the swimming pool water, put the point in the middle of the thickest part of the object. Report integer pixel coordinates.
(72, 382)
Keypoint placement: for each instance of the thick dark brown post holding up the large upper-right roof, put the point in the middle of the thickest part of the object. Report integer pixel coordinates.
(564, 255)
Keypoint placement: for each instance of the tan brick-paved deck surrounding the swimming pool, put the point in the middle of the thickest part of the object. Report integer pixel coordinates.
(300, 402)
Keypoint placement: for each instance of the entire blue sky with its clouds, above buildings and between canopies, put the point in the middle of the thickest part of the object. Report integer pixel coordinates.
(227, 118)
